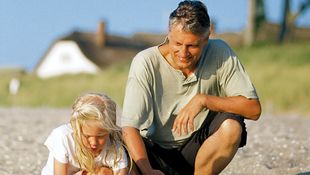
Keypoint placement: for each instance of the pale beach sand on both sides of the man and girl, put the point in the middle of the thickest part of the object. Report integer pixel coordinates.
(276, 144)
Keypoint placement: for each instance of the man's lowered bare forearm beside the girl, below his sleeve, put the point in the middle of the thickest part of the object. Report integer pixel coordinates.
(136, 148)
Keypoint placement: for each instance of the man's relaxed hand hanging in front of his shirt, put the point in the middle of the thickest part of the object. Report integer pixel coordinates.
(185, 118)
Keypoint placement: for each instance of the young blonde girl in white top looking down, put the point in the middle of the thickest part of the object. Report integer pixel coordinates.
(90, 144)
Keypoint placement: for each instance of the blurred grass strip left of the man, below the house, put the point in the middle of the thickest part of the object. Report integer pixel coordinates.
(62, 91)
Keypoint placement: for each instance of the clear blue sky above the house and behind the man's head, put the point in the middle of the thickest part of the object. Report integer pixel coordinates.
(28, 27)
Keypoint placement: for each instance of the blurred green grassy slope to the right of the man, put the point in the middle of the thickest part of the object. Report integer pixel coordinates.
(280, 74)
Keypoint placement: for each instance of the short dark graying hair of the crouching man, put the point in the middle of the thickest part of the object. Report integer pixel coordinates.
(193, 16)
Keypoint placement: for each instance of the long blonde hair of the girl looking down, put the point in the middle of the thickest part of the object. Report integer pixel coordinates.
(95, 107)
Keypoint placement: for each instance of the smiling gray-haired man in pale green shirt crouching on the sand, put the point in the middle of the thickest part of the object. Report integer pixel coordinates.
(186, 100)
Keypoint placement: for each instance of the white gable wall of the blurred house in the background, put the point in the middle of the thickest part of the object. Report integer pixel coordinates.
(65, 57)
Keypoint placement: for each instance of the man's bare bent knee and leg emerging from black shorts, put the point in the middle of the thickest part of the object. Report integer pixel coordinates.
(220, 149)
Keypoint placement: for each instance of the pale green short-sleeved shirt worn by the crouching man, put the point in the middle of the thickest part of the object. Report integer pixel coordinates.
(156, 92)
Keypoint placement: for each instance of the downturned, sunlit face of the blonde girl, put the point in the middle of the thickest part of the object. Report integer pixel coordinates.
(94, 137)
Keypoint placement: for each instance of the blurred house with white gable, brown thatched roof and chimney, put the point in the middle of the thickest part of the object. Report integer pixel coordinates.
(82, 52)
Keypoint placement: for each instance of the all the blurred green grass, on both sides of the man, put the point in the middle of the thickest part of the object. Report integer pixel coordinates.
(279, 72)
